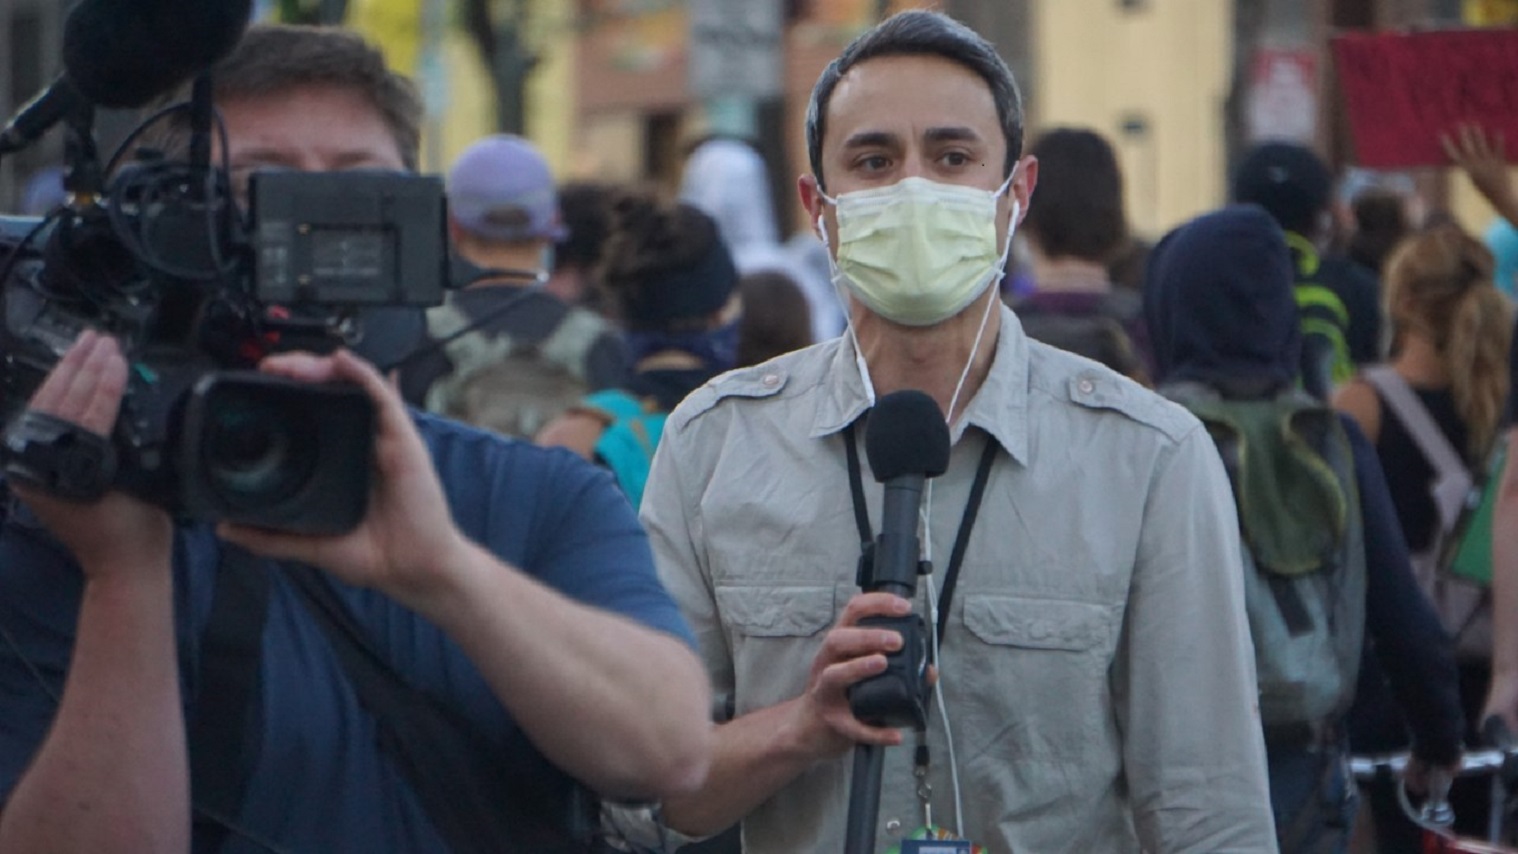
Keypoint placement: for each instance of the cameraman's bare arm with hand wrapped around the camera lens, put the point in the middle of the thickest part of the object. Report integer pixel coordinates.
(617, 705)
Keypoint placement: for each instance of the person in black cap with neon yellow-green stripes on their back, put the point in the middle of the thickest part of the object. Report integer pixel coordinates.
(1338, 300)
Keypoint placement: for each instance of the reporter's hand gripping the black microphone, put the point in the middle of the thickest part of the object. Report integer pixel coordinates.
(824, 723)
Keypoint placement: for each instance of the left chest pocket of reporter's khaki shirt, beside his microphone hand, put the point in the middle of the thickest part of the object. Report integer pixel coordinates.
(773, 632)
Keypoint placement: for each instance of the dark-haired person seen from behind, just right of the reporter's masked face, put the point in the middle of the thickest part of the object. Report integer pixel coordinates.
(1076, 228)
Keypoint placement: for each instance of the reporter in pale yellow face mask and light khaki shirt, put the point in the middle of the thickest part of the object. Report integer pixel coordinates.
(1097, 685)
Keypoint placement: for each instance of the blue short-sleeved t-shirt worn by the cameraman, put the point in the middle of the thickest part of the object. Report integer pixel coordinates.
(320, 782)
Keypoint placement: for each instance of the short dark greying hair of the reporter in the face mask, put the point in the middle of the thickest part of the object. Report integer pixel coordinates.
(921, 34)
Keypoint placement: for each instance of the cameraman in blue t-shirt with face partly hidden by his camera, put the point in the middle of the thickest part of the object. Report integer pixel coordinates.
(511, 583)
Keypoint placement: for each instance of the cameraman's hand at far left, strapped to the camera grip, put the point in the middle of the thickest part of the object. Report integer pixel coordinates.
(118, 533)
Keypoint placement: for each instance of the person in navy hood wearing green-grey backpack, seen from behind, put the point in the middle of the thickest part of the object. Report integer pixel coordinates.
(1326, 568)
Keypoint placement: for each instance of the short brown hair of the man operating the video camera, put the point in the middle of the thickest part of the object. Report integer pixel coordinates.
(272, 60)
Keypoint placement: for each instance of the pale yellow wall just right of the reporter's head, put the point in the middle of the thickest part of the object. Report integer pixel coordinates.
(1167, 64)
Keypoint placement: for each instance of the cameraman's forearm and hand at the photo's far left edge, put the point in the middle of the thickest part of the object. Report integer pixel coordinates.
(112, 774)
